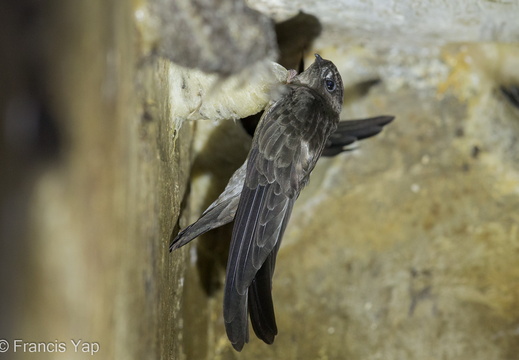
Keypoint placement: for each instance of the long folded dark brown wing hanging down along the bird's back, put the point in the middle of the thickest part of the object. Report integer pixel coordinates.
(286, 146)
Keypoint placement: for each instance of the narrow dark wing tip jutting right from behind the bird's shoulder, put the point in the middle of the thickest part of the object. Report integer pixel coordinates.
(353, 130)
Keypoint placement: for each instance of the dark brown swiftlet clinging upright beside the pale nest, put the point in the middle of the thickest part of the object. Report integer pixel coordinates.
(293, 132)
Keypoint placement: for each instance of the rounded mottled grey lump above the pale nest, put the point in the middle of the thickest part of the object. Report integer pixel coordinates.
(199, 34)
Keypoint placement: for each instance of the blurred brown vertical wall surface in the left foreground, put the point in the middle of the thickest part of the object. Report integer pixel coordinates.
(89, 199)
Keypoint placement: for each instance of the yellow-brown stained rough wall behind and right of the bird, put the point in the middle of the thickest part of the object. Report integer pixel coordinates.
(406, 248)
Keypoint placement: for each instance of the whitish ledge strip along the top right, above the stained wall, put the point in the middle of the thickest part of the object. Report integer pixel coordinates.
(406, 22)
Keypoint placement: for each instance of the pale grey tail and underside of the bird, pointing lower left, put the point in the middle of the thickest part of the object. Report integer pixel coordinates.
(219, 213)
